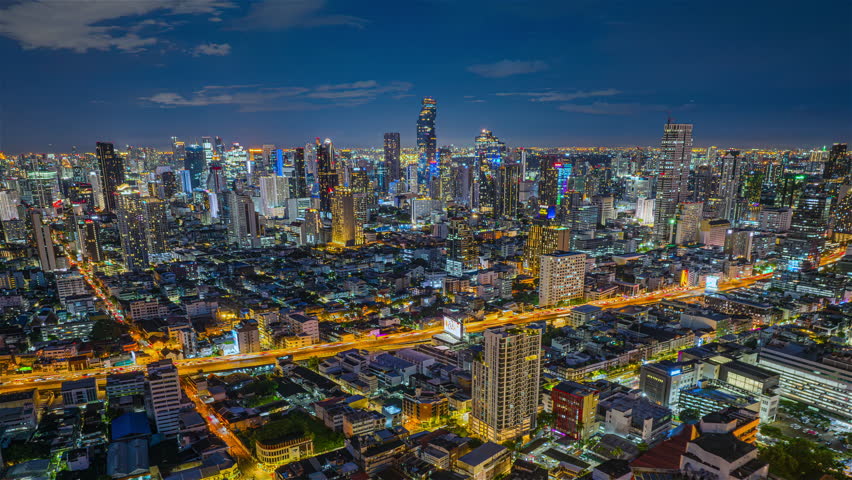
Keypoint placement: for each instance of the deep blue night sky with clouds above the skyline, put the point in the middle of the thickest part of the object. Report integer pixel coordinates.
(569, 72)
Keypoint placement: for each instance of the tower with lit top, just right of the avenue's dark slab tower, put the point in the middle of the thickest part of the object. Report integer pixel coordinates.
(132, 228)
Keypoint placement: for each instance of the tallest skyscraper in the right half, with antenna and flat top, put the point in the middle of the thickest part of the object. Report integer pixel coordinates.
(672, 184)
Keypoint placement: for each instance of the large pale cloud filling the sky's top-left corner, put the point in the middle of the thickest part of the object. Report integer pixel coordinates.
(96, 25)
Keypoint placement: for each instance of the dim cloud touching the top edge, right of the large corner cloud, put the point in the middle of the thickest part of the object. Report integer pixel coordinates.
(284, 14)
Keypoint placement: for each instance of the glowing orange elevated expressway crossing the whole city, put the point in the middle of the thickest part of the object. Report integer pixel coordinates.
(51, 381)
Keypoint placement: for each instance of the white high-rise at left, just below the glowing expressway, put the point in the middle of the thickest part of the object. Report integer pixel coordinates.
(162, 396)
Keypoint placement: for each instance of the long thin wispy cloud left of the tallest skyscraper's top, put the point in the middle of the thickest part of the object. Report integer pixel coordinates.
(256, 98)
